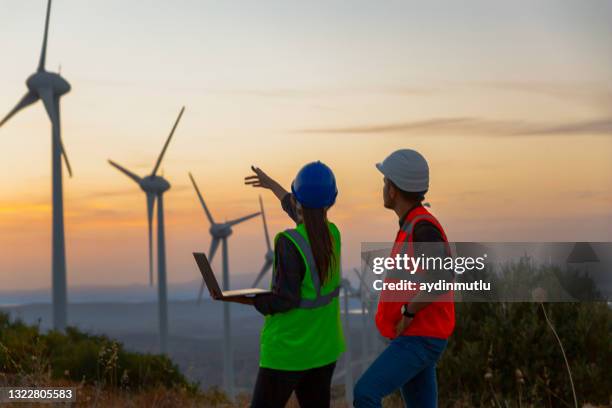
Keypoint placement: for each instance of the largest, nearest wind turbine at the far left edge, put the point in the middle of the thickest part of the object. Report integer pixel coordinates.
(49, 87)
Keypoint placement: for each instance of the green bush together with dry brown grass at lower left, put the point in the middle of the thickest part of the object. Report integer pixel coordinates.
(100, 369)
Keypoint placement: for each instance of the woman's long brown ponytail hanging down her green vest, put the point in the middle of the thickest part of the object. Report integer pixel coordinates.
(315, 221)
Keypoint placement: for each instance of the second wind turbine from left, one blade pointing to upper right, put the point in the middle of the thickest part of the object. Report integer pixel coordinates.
(154, 187)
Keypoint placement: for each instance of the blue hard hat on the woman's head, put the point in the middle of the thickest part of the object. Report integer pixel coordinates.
(315, 186)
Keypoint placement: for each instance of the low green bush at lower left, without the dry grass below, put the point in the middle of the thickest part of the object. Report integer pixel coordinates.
(74, 355)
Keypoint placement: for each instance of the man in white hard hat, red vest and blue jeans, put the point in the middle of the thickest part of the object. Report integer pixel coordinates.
(417, 325)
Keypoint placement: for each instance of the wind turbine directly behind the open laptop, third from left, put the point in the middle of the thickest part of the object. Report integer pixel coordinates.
(220, 232)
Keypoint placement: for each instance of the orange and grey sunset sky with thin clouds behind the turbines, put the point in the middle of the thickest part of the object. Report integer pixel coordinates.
(510, 102)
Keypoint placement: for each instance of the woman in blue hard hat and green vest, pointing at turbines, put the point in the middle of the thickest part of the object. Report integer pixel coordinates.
(302, 335)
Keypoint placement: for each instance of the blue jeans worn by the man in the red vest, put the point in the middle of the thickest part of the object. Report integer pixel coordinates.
(408, 363)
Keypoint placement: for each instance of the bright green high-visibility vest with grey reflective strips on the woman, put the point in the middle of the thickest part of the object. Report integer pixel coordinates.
(310, 335)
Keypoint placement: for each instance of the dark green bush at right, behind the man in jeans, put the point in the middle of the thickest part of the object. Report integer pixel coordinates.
(506, 351)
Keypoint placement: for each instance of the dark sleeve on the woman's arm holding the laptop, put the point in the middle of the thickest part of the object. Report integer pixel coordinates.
(287, 279)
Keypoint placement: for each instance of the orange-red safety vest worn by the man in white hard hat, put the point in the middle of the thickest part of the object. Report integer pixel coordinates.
(436, 319)
